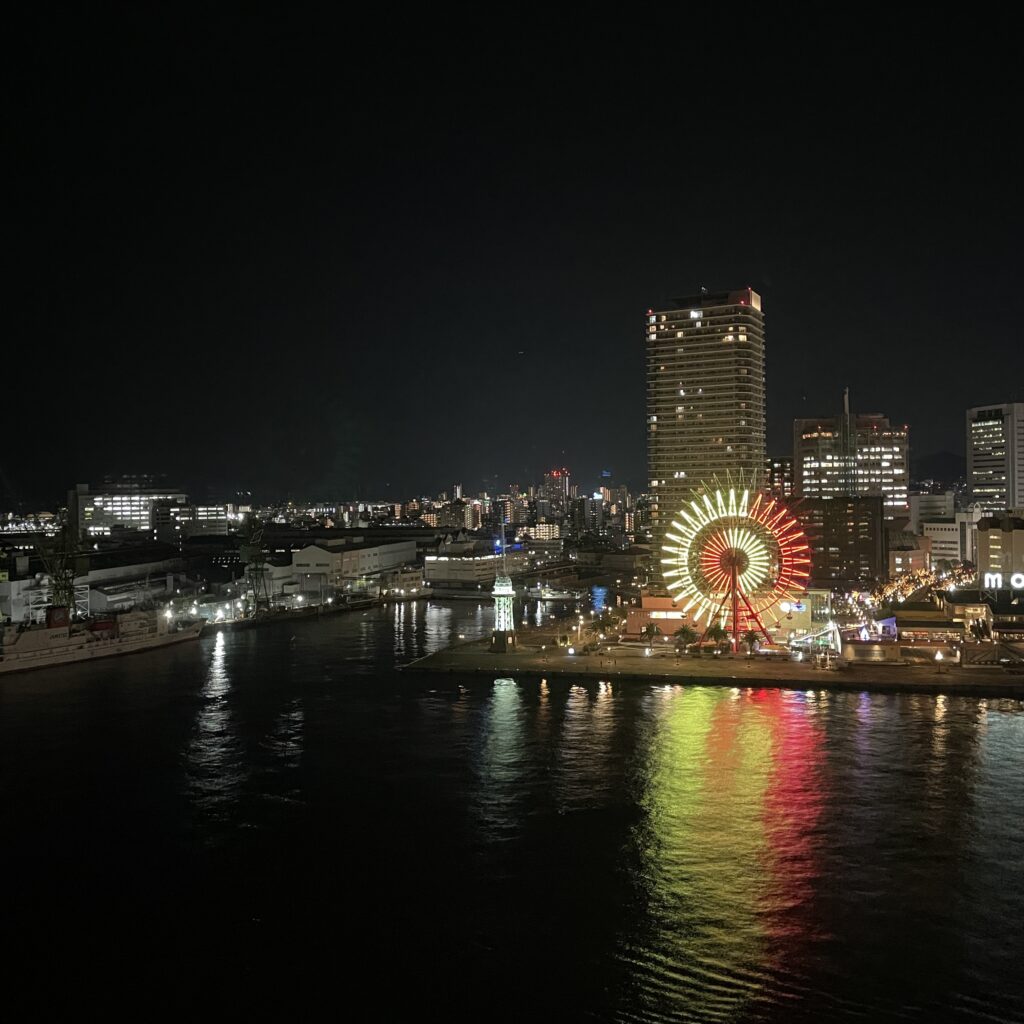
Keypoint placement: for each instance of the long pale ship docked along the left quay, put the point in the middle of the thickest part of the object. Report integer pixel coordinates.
(61, 642)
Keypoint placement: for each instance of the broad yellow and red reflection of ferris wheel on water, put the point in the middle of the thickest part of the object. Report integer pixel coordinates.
(728, 843)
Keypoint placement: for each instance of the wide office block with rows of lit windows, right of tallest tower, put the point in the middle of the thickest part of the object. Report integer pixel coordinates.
(852, 455)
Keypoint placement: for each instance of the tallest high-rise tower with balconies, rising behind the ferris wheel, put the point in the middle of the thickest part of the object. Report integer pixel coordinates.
(706, 396)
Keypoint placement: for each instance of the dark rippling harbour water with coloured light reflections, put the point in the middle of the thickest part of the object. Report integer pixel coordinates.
(277, 818)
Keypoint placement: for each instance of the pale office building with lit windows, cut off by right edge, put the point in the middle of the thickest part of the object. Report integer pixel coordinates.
(996, 456)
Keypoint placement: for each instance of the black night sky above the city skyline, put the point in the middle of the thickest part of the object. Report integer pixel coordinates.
(343, 260)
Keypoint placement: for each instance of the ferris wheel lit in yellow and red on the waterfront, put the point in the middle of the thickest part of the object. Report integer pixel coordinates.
(731, 557)
